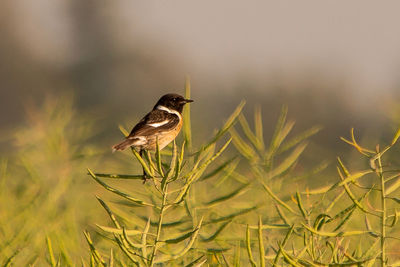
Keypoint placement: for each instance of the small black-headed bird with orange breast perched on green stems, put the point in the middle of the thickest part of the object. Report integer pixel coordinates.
(164, 123)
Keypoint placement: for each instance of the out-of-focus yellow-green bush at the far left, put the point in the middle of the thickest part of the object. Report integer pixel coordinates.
(43, 192)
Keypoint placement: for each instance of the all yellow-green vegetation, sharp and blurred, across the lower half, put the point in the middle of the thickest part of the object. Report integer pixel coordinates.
(236, 200)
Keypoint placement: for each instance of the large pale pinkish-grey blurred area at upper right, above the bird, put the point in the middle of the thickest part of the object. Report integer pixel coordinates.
(360, 39)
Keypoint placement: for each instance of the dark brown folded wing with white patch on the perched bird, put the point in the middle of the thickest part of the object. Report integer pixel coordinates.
(154, 122)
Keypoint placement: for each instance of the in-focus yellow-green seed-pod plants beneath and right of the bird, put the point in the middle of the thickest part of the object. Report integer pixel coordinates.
(233, 211)
